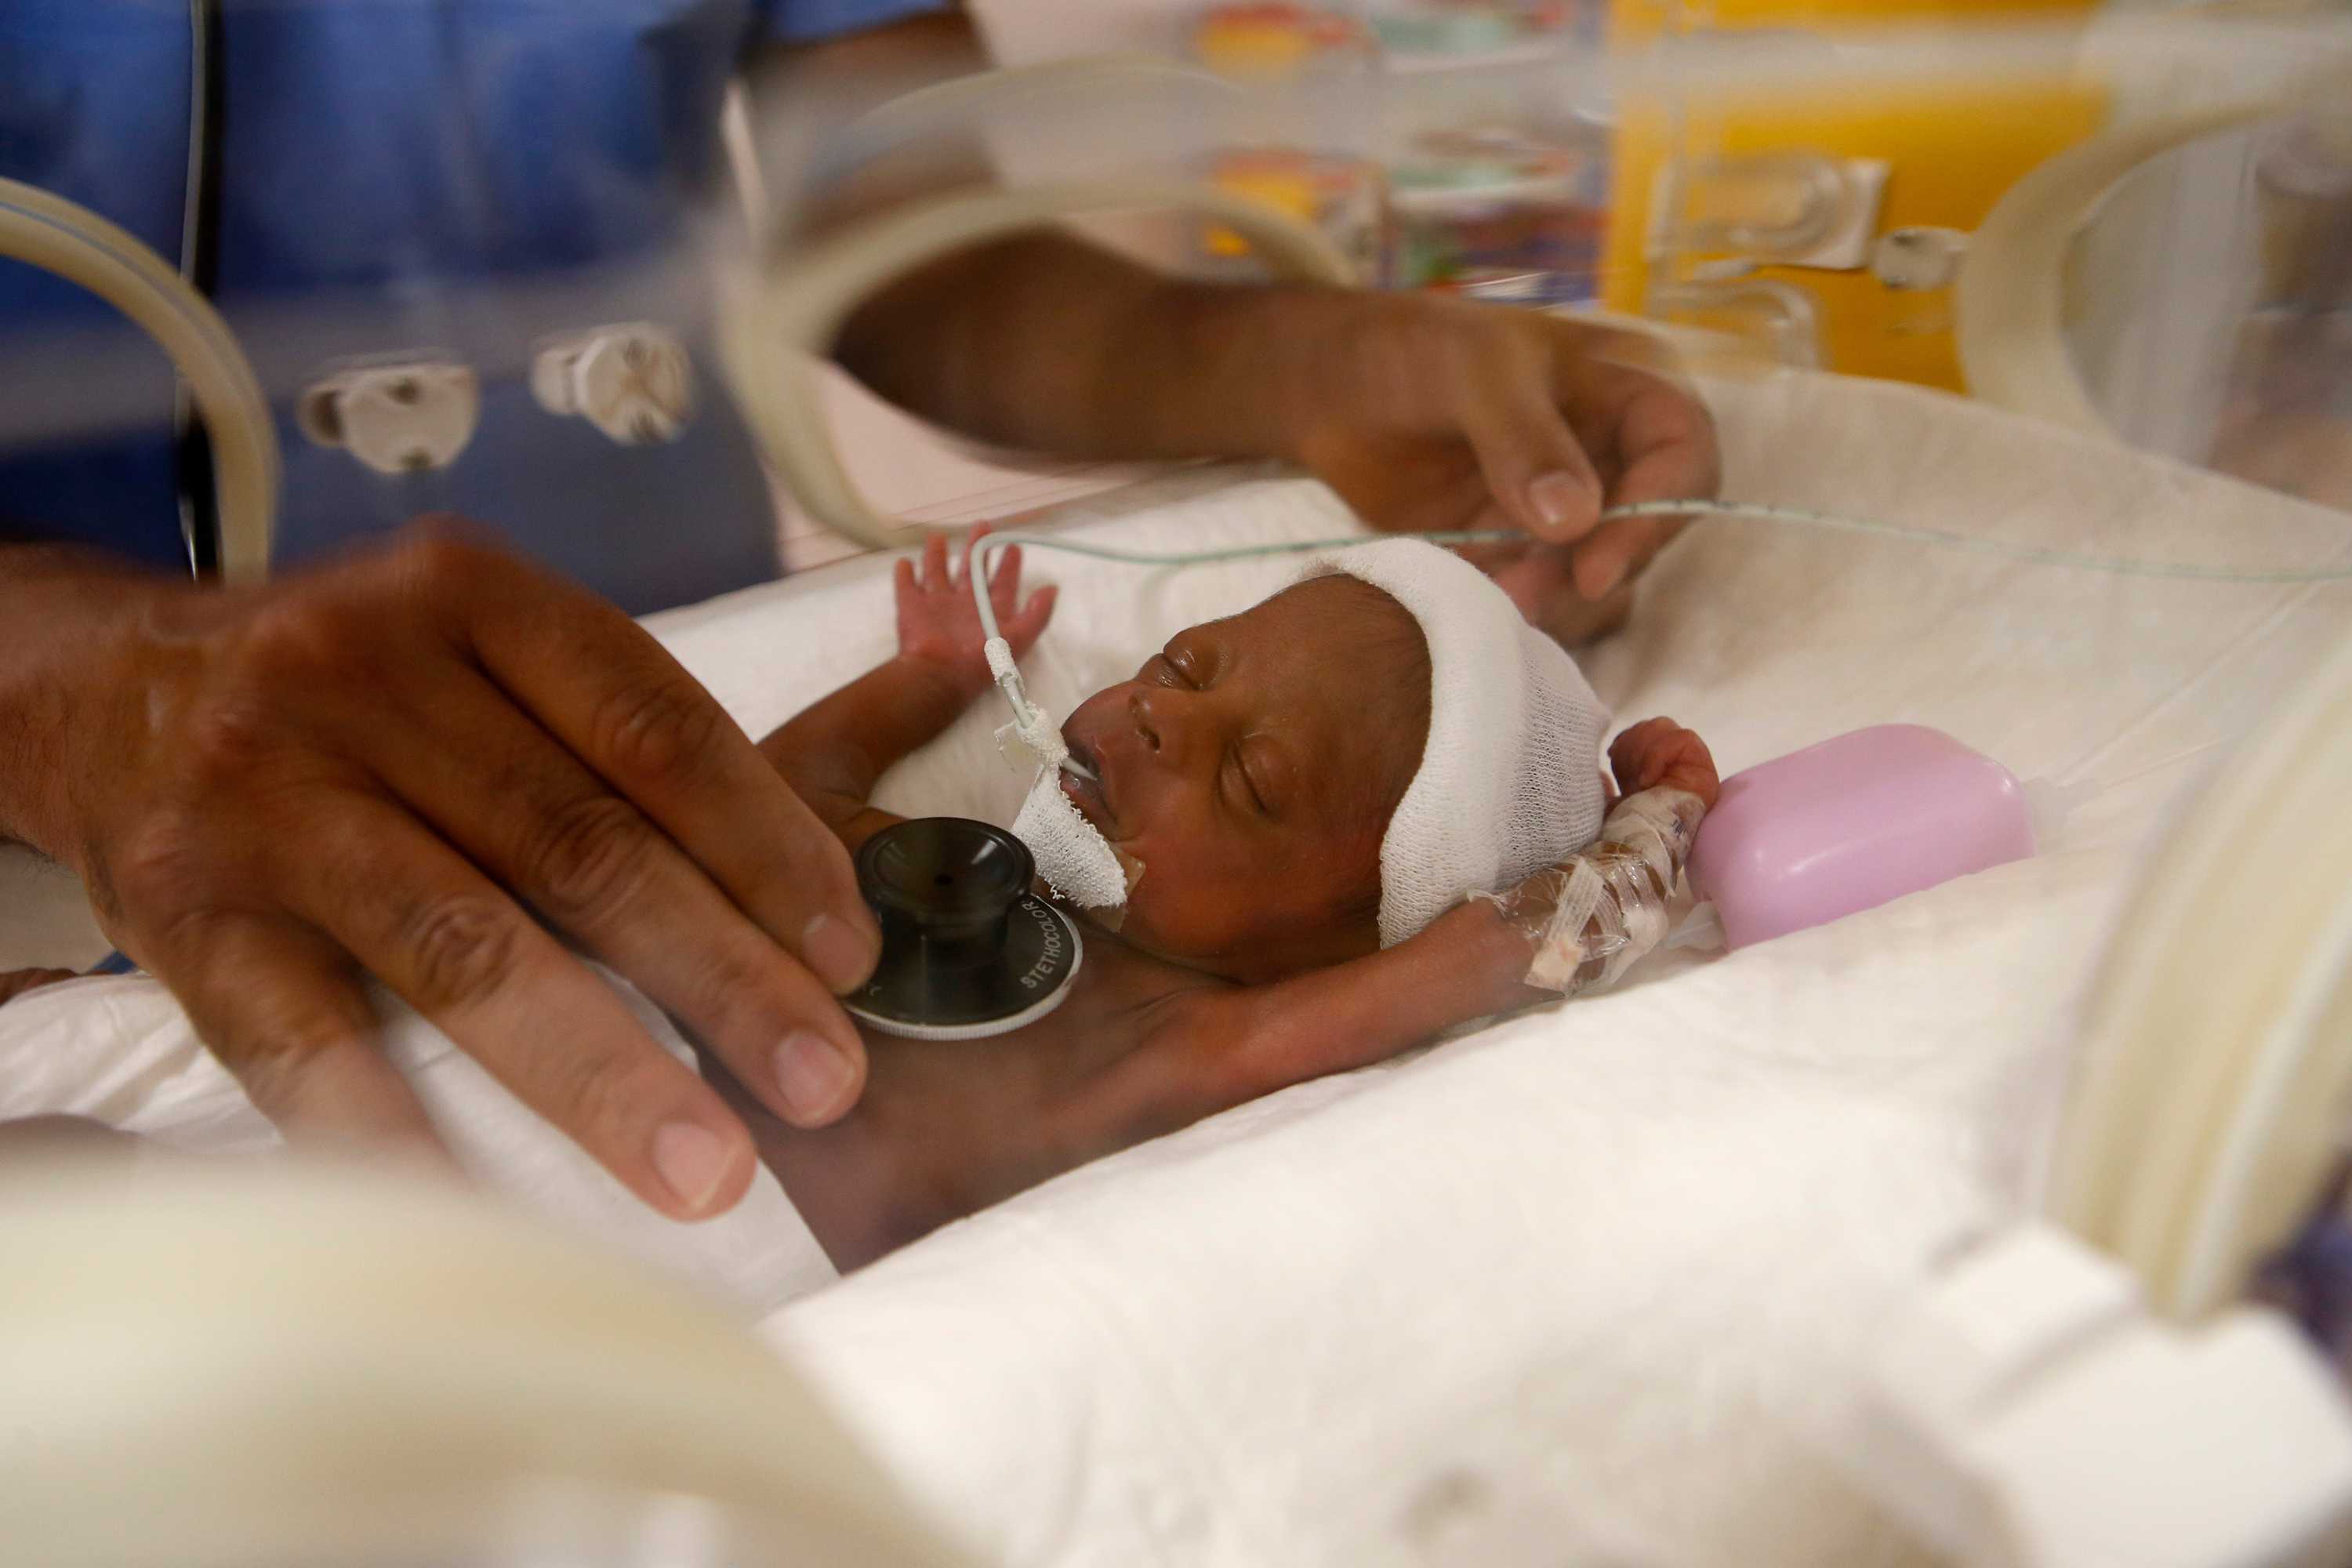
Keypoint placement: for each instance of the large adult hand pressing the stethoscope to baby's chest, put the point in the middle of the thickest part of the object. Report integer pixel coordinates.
(436, 765)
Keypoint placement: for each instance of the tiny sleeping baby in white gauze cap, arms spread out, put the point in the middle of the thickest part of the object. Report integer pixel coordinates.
(1354, 817)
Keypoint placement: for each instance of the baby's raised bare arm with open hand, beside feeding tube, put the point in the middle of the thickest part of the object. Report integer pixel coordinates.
(838, 751)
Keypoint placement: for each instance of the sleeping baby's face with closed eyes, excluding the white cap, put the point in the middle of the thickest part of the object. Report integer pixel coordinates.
(1252, 768)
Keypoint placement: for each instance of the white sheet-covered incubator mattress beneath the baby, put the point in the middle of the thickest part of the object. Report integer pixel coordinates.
(1586, 1285)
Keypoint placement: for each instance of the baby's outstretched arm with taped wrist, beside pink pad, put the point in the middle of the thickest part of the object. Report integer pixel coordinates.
(1485, 956)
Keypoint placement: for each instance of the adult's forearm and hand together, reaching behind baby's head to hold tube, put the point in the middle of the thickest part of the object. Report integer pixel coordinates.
(1426, 415)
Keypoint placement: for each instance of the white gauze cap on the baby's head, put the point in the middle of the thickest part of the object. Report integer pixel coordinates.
(1511, 772)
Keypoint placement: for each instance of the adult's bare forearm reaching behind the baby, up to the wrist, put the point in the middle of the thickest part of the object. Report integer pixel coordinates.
(1055, 344)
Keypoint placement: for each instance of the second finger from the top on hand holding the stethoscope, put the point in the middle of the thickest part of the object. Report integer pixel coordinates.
(544, 826)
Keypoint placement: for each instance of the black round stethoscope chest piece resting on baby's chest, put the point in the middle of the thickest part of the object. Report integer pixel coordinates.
(968, 951)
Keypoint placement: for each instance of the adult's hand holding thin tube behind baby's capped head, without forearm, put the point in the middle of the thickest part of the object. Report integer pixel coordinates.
(1434, 415)
